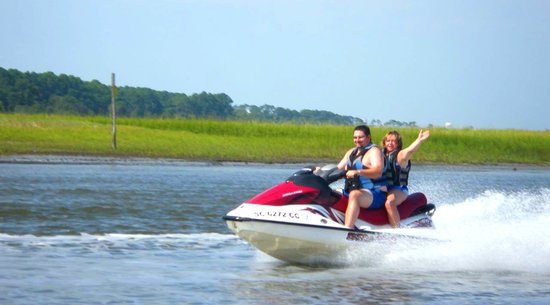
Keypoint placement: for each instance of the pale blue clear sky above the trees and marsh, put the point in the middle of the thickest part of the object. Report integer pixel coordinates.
(480, 64)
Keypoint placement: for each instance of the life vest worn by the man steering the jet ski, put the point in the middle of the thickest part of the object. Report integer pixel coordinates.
(355, 162)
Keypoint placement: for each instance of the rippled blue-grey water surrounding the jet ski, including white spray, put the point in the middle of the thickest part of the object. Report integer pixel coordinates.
(106, 231)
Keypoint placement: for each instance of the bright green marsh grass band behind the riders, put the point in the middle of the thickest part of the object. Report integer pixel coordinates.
(230, 141)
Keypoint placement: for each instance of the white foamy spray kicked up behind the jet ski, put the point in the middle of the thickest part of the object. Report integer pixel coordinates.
(495, 230)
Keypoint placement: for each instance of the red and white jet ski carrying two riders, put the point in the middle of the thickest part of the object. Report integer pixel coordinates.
(301, 220)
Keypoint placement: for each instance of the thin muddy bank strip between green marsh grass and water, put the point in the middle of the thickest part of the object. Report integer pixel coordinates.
(129, 160)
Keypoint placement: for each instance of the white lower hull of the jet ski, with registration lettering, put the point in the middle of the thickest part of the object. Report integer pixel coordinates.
(306, 243)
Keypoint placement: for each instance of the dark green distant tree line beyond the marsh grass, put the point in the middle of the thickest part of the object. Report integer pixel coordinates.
(30, 92)
